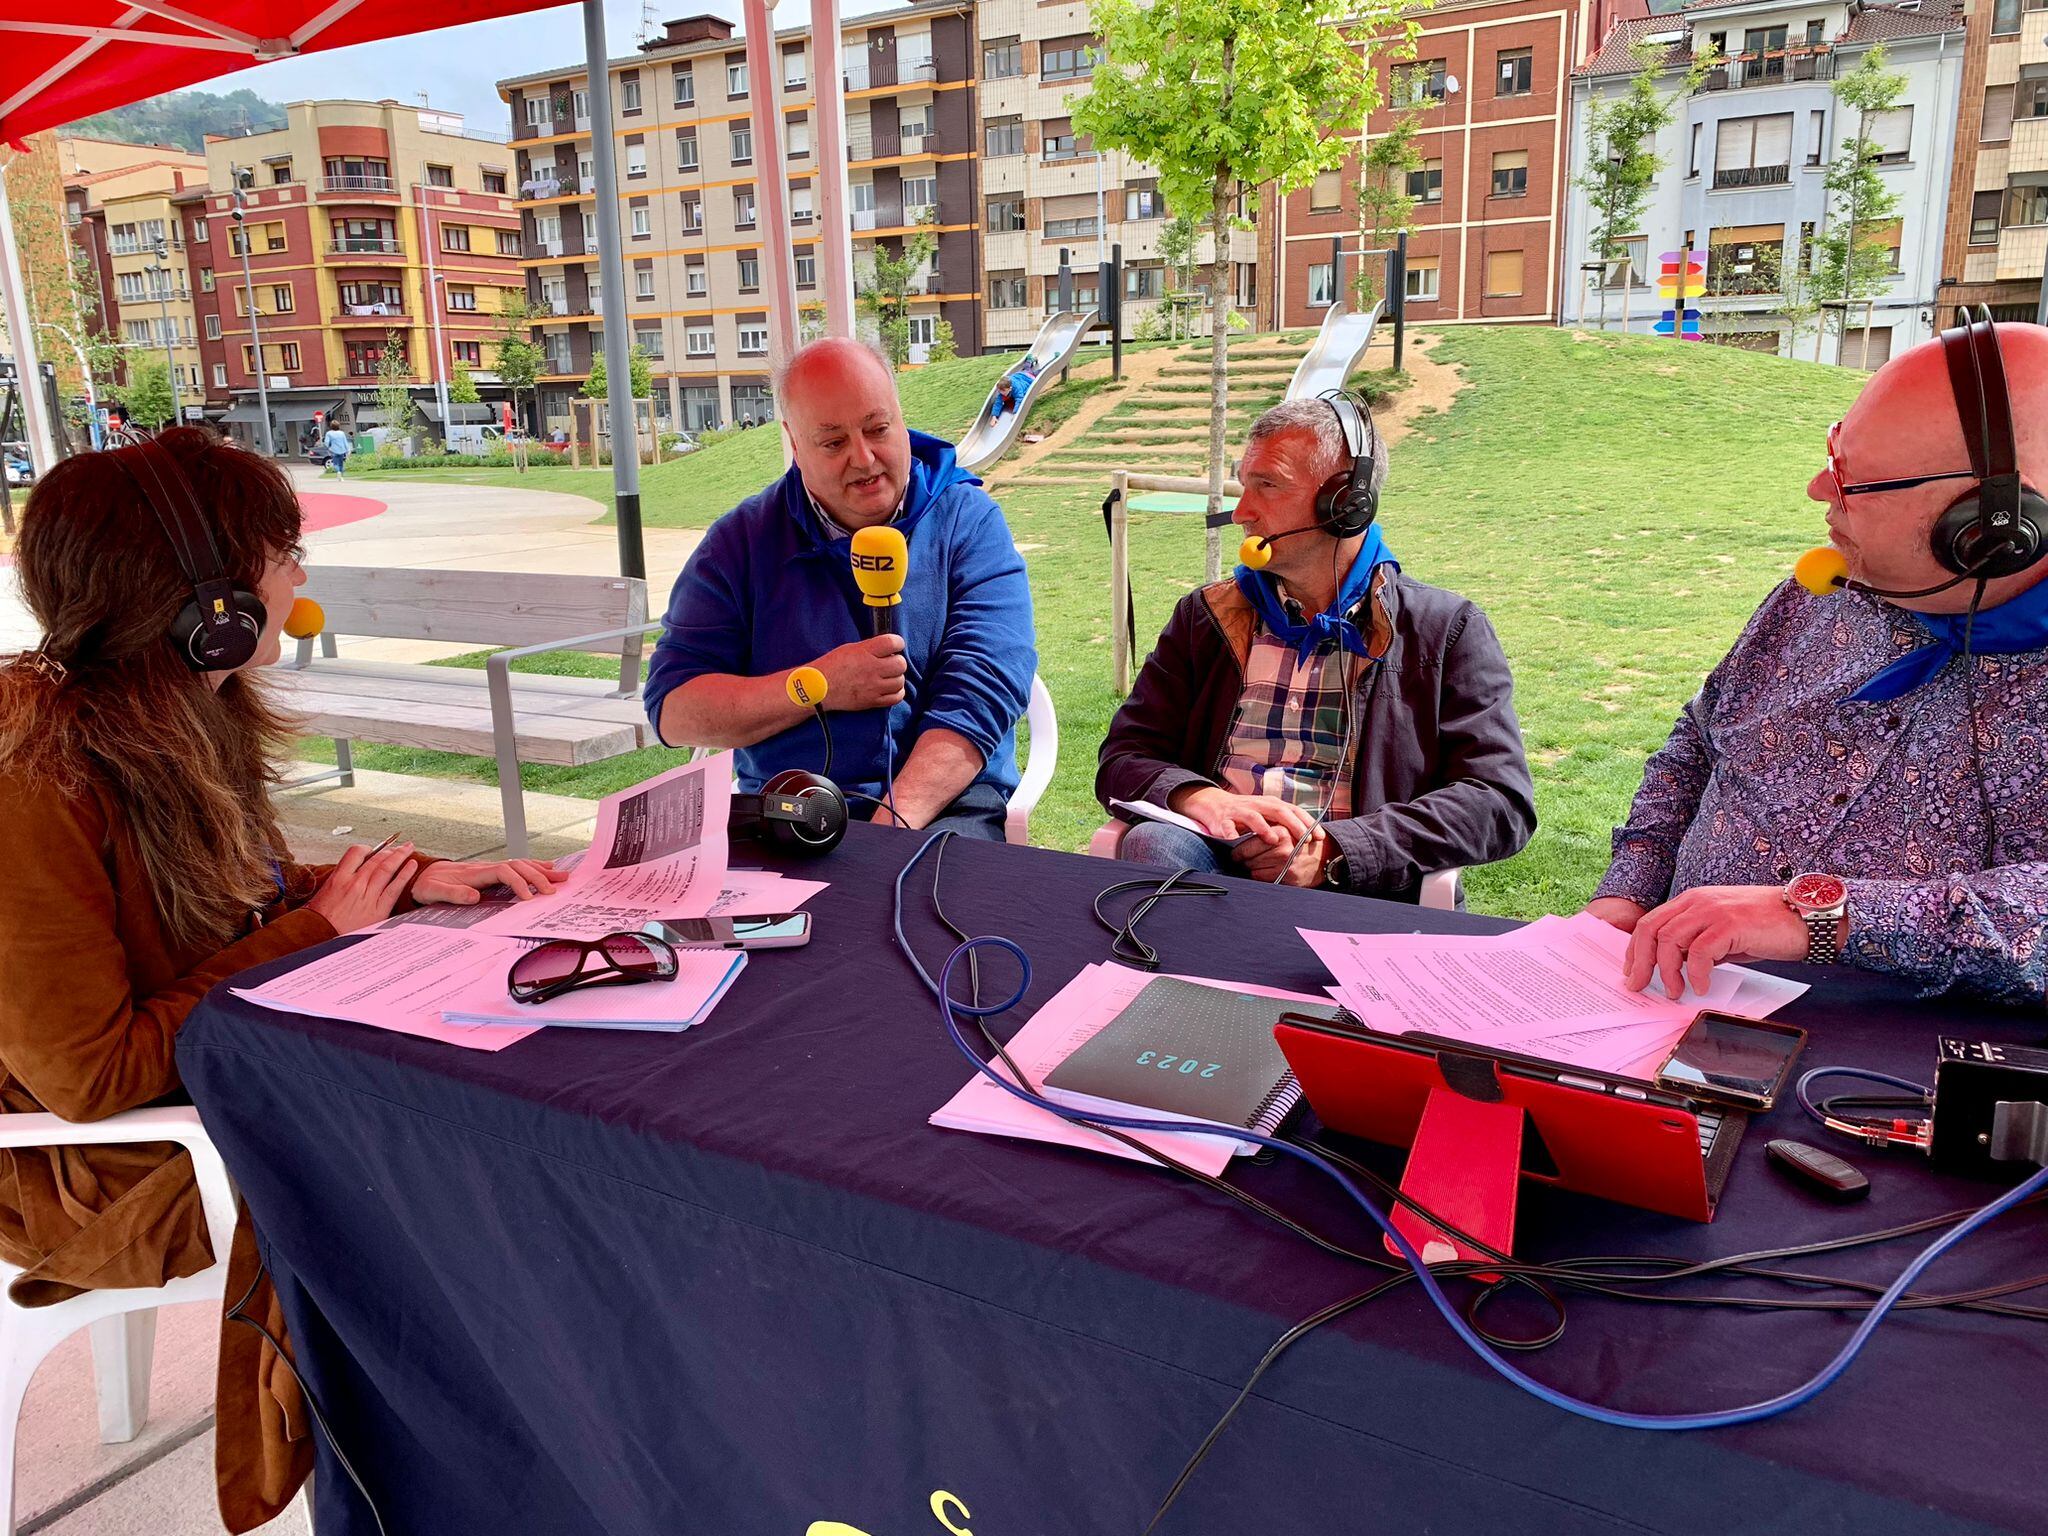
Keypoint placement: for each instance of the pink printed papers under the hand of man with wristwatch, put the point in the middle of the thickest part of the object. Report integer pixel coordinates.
(1551, 990)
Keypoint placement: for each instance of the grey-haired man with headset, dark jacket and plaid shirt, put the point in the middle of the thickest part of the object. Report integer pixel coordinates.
(1353, 720)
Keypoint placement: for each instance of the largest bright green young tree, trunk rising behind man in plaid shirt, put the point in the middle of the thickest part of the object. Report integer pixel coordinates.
(1226, 97)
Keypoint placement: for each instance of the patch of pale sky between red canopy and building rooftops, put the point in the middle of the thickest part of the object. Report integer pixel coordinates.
(460, 67)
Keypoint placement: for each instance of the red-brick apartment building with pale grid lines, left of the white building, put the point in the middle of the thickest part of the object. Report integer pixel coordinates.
(1486, 91)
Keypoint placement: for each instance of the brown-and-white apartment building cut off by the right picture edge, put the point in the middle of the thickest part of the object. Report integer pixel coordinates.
(1996, 249)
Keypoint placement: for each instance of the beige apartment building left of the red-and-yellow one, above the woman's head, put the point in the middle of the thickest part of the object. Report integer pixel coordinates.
(118, 206)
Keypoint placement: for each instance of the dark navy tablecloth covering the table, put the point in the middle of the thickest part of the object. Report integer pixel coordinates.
(732, 1281)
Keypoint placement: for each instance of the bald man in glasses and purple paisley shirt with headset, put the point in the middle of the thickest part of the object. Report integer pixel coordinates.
(1826, 792)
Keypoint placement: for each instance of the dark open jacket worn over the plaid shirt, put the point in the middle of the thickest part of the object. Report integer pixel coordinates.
(1441, 779)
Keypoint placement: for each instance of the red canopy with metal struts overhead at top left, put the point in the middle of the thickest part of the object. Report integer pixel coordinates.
(69, 60)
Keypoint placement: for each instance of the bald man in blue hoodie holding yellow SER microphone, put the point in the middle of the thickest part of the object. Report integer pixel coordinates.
(771, 589)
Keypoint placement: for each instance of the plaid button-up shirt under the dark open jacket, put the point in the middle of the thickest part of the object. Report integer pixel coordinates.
(1289, 732)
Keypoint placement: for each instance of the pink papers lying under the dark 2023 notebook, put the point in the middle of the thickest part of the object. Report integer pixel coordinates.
(1062, 1025)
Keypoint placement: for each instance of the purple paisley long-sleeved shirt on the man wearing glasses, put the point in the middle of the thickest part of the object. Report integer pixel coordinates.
(1773, 773)
